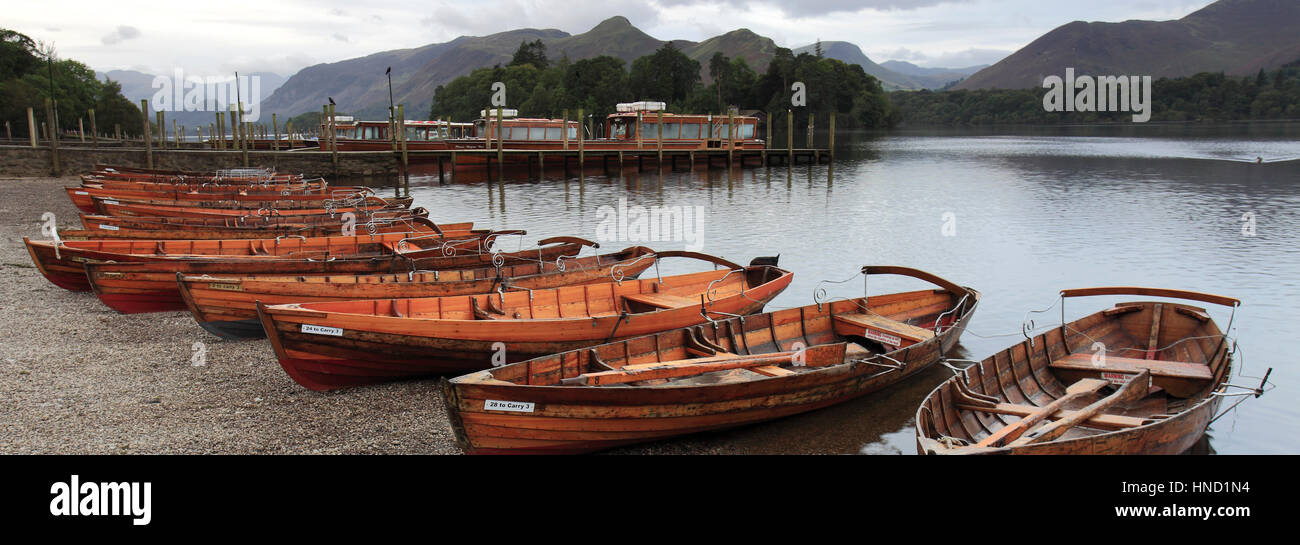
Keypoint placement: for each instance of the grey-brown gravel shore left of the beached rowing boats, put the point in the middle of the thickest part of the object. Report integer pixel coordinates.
(83, 379)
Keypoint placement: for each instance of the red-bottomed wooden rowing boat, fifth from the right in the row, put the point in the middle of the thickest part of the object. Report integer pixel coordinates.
(151, 287)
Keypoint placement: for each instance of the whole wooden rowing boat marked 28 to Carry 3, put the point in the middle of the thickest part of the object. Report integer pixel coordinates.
(718, 375)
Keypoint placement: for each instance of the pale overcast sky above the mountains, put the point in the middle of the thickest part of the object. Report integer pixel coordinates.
(287, 36)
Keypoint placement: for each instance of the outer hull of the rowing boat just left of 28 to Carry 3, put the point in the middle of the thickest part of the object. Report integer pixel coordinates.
(374, 349)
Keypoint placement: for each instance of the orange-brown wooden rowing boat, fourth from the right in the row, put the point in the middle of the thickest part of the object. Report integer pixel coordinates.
(227, 306)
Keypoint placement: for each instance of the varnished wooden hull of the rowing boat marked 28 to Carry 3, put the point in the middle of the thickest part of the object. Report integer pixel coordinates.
(567, 419)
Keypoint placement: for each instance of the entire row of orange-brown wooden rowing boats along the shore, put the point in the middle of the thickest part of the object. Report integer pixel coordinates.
(553, 351)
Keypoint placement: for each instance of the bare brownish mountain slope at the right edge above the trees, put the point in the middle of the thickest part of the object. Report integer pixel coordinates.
(1236, 37)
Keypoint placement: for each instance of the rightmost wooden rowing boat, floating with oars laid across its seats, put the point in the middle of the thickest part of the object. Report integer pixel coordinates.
(1168, 365)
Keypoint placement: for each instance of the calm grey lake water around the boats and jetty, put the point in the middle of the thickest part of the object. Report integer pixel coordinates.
(1028, 213)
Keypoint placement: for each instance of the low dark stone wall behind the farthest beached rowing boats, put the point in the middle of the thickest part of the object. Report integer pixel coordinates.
(27, 162)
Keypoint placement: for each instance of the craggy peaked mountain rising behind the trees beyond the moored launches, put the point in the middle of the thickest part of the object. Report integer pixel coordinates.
(359, 86)
